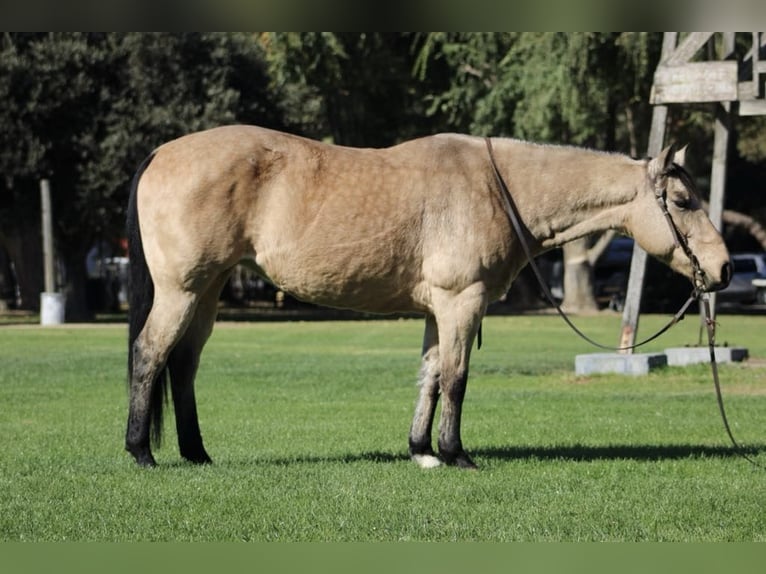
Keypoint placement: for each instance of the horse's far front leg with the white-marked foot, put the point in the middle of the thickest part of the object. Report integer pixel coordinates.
(420, 432)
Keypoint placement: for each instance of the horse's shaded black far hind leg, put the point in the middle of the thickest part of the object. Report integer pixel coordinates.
(182, 364)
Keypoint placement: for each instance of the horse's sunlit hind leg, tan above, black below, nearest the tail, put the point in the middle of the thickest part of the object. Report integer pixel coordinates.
(170, 315)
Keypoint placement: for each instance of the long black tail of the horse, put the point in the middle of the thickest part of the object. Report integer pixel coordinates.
(140, 303)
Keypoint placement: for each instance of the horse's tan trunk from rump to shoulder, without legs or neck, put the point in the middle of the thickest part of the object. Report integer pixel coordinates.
(349, 227)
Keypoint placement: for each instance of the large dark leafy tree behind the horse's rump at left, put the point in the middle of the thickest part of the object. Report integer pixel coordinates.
(84, 109)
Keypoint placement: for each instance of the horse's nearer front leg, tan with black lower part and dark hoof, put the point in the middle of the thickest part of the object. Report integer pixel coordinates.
(459, 318)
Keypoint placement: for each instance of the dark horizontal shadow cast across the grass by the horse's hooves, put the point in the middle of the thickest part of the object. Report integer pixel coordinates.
(575, 453)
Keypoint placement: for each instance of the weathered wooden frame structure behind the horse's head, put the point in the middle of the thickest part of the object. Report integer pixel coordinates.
(737, 87)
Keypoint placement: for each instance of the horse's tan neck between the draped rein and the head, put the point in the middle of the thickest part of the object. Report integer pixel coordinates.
(565, 193)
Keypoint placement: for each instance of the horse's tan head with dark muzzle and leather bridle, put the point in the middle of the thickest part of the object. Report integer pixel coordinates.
(669, 223)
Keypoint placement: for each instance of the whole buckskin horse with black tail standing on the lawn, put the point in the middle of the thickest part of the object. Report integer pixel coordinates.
(418, 227)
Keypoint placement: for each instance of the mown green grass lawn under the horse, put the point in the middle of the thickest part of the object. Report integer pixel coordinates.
(307, 425)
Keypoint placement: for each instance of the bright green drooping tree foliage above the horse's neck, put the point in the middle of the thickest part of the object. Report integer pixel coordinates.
(574, 87)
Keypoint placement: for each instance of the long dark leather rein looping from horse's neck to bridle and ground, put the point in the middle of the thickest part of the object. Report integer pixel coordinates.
(679, 240)
